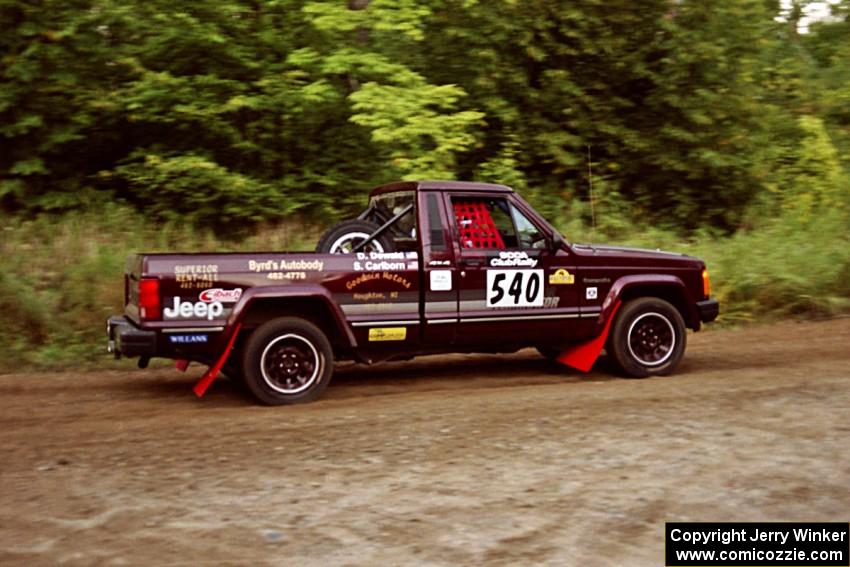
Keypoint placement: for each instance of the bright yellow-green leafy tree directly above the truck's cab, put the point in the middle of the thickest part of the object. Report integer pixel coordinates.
(416, 126)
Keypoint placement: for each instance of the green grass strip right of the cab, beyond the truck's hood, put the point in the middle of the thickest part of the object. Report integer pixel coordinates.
(783, 268)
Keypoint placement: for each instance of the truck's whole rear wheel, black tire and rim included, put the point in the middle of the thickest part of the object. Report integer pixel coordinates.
(287, 361)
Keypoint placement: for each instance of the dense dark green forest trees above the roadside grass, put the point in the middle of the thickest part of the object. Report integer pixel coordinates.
(235, 111)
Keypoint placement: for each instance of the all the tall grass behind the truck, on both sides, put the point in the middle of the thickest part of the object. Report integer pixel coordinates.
(61, 277)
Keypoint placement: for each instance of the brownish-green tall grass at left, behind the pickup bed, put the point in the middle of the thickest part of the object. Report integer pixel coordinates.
(61, 277)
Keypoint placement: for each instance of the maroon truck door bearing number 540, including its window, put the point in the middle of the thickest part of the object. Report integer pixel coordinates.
(515, 288)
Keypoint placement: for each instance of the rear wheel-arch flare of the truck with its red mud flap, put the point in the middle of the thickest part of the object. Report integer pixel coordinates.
(227, 338)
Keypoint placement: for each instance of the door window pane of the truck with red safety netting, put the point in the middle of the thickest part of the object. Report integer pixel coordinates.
(484, 223)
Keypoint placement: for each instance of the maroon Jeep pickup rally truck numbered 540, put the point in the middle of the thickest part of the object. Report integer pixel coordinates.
(429, 267)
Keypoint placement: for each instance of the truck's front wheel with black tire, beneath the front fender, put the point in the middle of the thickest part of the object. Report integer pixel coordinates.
(648, 338)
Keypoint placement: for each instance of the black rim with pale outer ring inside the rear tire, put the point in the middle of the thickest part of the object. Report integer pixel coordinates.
(290, 364)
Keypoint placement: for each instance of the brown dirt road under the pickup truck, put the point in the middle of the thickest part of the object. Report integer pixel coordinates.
(500, 460)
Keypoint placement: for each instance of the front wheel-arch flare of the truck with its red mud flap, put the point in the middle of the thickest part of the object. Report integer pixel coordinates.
(583, 355)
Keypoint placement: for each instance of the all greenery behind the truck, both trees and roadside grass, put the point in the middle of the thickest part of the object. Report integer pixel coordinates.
(712, 128)
